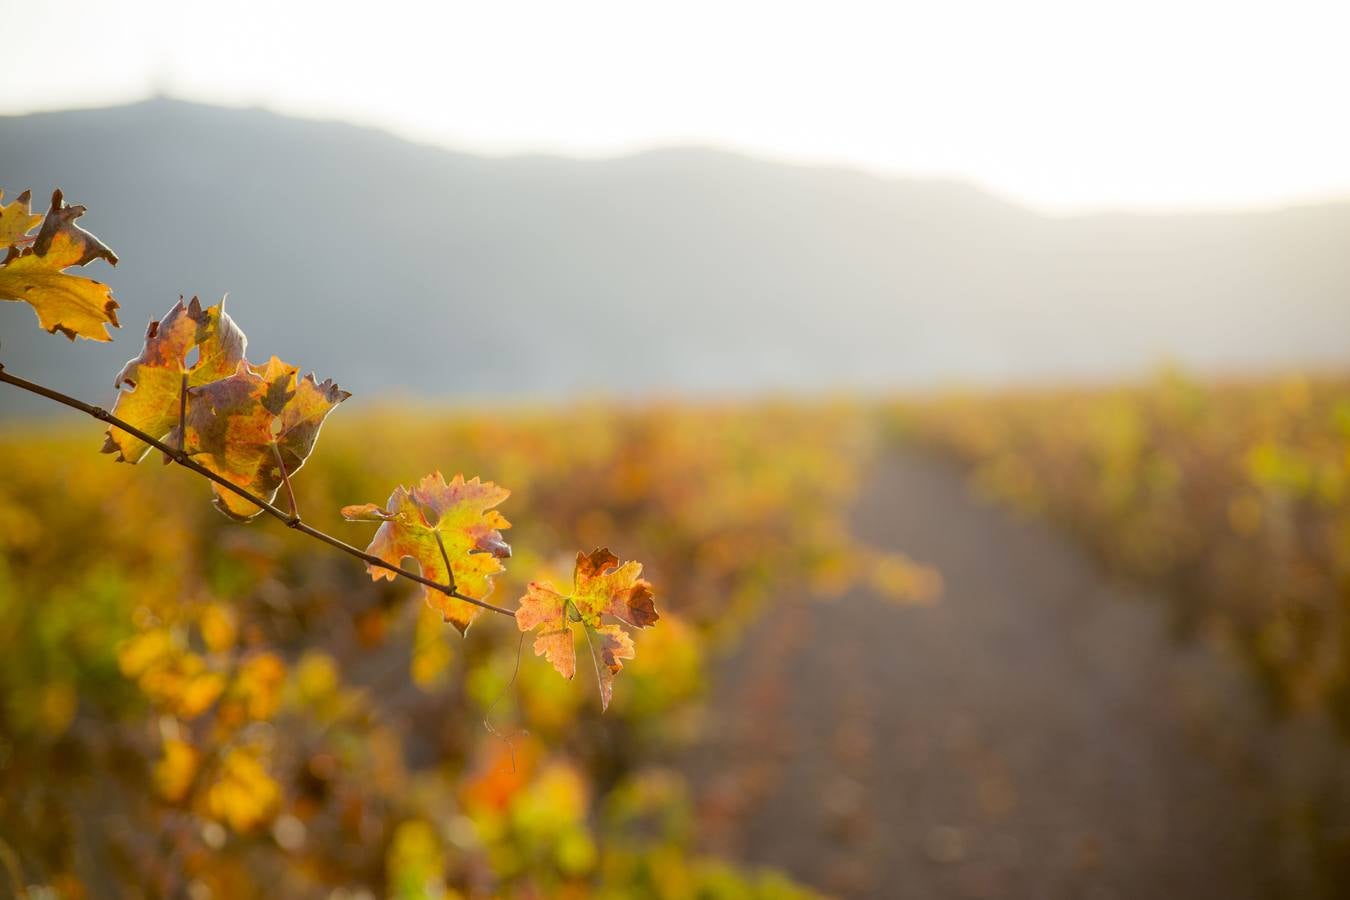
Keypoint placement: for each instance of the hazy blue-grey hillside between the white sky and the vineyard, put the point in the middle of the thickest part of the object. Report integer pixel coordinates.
(398, 266)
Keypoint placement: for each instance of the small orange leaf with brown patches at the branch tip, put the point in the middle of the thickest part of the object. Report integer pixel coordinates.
(601, 586)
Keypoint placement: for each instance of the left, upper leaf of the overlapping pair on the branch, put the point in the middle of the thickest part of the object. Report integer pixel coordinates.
(152, 384)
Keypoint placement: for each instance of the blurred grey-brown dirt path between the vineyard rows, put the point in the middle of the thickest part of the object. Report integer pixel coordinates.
(1036, 735)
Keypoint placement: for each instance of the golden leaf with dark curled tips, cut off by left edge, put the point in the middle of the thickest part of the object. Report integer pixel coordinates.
(68, 304)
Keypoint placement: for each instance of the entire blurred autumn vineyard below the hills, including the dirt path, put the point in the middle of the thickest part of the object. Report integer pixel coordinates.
(931, 692)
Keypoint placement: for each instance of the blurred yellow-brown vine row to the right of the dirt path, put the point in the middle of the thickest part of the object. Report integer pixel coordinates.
(1232, 500)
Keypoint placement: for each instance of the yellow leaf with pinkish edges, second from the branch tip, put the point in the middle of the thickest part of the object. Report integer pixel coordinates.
(461, 513)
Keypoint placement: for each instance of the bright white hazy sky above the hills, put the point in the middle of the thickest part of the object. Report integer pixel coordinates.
(1064, 105)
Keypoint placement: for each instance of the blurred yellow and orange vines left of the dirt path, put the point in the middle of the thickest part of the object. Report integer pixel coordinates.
(196, 708)
